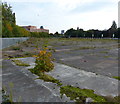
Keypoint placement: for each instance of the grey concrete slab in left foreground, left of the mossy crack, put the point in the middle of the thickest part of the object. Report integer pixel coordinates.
(26, 88)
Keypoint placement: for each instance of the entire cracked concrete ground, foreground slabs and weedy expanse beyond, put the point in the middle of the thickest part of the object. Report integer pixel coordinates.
(85, 63)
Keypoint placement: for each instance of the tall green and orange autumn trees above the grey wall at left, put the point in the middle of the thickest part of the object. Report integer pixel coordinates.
(9, 27)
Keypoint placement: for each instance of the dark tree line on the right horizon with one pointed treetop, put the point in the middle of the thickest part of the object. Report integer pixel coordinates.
(112, 32)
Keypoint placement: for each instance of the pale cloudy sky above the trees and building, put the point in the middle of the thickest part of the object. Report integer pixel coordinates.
(57, 15)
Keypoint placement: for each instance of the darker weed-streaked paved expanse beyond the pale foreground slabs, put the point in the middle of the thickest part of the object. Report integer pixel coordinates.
(100, 57)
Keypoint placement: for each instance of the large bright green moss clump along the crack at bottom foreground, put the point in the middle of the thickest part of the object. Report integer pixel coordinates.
(80, 95)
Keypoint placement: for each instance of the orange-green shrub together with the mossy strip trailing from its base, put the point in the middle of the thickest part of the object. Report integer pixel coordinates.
(44, 64)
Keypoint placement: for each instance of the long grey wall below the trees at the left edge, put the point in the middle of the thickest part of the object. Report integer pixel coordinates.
(6, 42)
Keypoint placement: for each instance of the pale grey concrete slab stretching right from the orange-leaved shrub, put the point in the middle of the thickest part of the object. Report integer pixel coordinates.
(102, 85)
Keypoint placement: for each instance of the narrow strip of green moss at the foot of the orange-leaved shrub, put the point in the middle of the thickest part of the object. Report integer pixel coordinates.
(46, 77)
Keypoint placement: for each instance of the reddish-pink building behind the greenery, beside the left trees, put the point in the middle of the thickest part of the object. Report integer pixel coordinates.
(35, 29)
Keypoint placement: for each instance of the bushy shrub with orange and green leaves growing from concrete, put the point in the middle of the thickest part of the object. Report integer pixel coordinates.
(44, 61)
